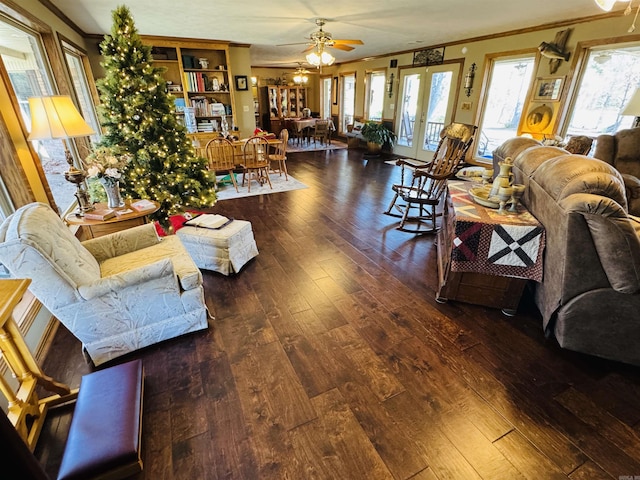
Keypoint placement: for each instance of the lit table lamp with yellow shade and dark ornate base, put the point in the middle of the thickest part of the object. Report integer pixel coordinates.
(57, 117)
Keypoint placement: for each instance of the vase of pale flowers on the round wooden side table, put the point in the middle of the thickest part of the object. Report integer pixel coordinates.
(106, 164)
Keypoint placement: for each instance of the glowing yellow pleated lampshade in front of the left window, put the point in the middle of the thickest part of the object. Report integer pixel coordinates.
(56, 117)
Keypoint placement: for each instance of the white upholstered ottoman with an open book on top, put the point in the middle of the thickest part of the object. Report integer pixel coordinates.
(225, 250)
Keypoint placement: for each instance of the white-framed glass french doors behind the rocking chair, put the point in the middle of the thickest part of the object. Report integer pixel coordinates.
(426, 102)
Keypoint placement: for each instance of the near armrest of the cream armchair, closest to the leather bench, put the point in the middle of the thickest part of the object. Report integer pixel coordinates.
(137, 276)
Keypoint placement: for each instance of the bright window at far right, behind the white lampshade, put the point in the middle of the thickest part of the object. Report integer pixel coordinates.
(609, 78)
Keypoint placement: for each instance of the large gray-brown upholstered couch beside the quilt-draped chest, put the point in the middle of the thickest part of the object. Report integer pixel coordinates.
(590, 294)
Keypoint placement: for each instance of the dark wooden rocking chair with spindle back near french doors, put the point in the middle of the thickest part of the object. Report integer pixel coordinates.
(423, 191)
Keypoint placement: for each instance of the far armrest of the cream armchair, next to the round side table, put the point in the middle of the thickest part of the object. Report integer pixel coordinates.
(122, 242)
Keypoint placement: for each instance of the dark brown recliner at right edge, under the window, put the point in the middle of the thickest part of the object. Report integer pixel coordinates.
(622, 150)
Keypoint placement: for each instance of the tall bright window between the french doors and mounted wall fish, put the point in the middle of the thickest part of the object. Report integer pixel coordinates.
(509, 82)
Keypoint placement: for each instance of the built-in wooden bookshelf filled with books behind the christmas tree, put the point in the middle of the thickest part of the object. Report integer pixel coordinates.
(198, 76)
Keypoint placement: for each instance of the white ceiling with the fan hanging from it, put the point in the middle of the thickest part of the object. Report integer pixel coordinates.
(385, 26)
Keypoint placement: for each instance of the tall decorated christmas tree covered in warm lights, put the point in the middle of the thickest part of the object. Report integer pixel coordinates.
(137, 117)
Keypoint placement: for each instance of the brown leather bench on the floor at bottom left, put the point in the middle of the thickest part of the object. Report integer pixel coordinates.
(105, 434)
